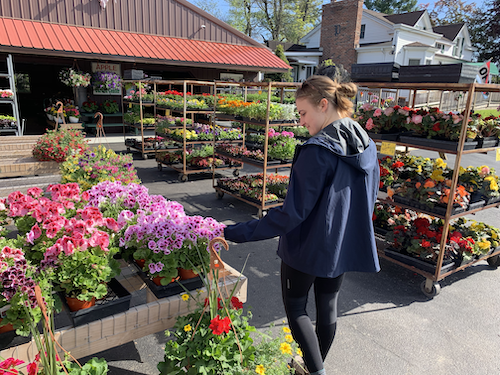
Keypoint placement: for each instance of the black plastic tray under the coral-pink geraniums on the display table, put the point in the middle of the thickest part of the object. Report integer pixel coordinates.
(116, 301)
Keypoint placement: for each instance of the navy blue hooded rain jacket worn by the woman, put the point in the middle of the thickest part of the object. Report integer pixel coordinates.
(325, 224)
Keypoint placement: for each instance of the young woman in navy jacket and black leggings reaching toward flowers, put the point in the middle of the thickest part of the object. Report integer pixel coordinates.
(325, 223)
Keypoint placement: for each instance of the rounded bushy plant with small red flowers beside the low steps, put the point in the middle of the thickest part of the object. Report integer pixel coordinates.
(58, 145)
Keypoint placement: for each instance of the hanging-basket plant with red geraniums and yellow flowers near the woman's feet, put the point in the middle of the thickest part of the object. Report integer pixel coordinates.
(216, 338)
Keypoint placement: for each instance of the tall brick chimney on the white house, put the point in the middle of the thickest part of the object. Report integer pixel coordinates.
(340, 29)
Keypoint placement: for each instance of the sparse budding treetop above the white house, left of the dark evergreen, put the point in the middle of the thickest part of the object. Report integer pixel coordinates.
(448, 12)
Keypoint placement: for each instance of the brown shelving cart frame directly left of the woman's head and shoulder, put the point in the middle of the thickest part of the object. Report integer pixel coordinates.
(269, 86)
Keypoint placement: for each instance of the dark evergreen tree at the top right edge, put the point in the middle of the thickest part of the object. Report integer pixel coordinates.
(485, 31)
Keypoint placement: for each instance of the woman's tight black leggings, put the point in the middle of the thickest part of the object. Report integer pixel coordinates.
(295, 286)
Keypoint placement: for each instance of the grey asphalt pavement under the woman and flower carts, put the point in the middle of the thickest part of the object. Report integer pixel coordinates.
(386, 324)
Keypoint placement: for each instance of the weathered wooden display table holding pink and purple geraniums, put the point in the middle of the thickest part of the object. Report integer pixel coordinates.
(147, 315)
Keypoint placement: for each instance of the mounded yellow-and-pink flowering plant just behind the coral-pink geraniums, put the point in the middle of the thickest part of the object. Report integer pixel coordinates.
(100, 164)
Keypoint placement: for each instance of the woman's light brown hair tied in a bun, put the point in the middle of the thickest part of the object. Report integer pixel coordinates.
(316, 88)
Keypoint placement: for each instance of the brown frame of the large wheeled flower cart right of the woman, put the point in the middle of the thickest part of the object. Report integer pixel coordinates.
(430, 286)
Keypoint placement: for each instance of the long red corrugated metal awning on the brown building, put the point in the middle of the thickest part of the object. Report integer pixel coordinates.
(43, 38)
